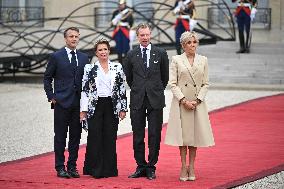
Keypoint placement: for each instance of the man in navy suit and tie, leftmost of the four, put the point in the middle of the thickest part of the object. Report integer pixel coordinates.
(65, 70)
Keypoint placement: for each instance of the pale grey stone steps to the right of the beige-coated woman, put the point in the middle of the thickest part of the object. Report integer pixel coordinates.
(264, 65)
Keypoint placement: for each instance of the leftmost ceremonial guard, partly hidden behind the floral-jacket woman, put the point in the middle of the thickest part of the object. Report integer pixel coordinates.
(122, 20)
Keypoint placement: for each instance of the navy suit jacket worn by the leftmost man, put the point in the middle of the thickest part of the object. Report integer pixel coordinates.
(67, 83)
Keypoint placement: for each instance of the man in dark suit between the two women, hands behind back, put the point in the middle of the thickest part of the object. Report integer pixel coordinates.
(147, 73)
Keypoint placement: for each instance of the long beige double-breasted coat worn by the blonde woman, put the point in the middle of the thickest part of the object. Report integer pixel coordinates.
(189, 127)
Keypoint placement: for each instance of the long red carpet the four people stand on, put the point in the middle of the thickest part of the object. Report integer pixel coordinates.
(249, 145)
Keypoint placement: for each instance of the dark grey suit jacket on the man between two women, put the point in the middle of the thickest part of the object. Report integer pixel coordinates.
(151, 81)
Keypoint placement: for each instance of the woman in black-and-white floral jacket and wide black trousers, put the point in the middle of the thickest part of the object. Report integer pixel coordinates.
(103, 102)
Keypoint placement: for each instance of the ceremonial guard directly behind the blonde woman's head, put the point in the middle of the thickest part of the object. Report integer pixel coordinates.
(185, 12)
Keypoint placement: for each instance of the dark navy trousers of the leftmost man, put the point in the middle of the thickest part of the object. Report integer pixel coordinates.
(65, 118)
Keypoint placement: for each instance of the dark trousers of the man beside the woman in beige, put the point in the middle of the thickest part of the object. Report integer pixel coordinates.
(138, 121)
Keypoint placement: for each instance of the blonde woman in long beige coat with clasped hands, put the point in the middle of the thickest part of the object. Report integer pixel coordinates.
(189, 124)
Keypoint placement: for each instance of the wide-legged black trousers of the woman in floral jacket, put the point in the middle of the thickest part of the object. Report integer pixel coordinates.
(100, 157)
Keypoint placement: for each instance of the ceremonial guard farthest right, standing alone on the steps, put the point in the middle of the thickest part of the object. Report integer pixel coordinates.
(244, 13)
